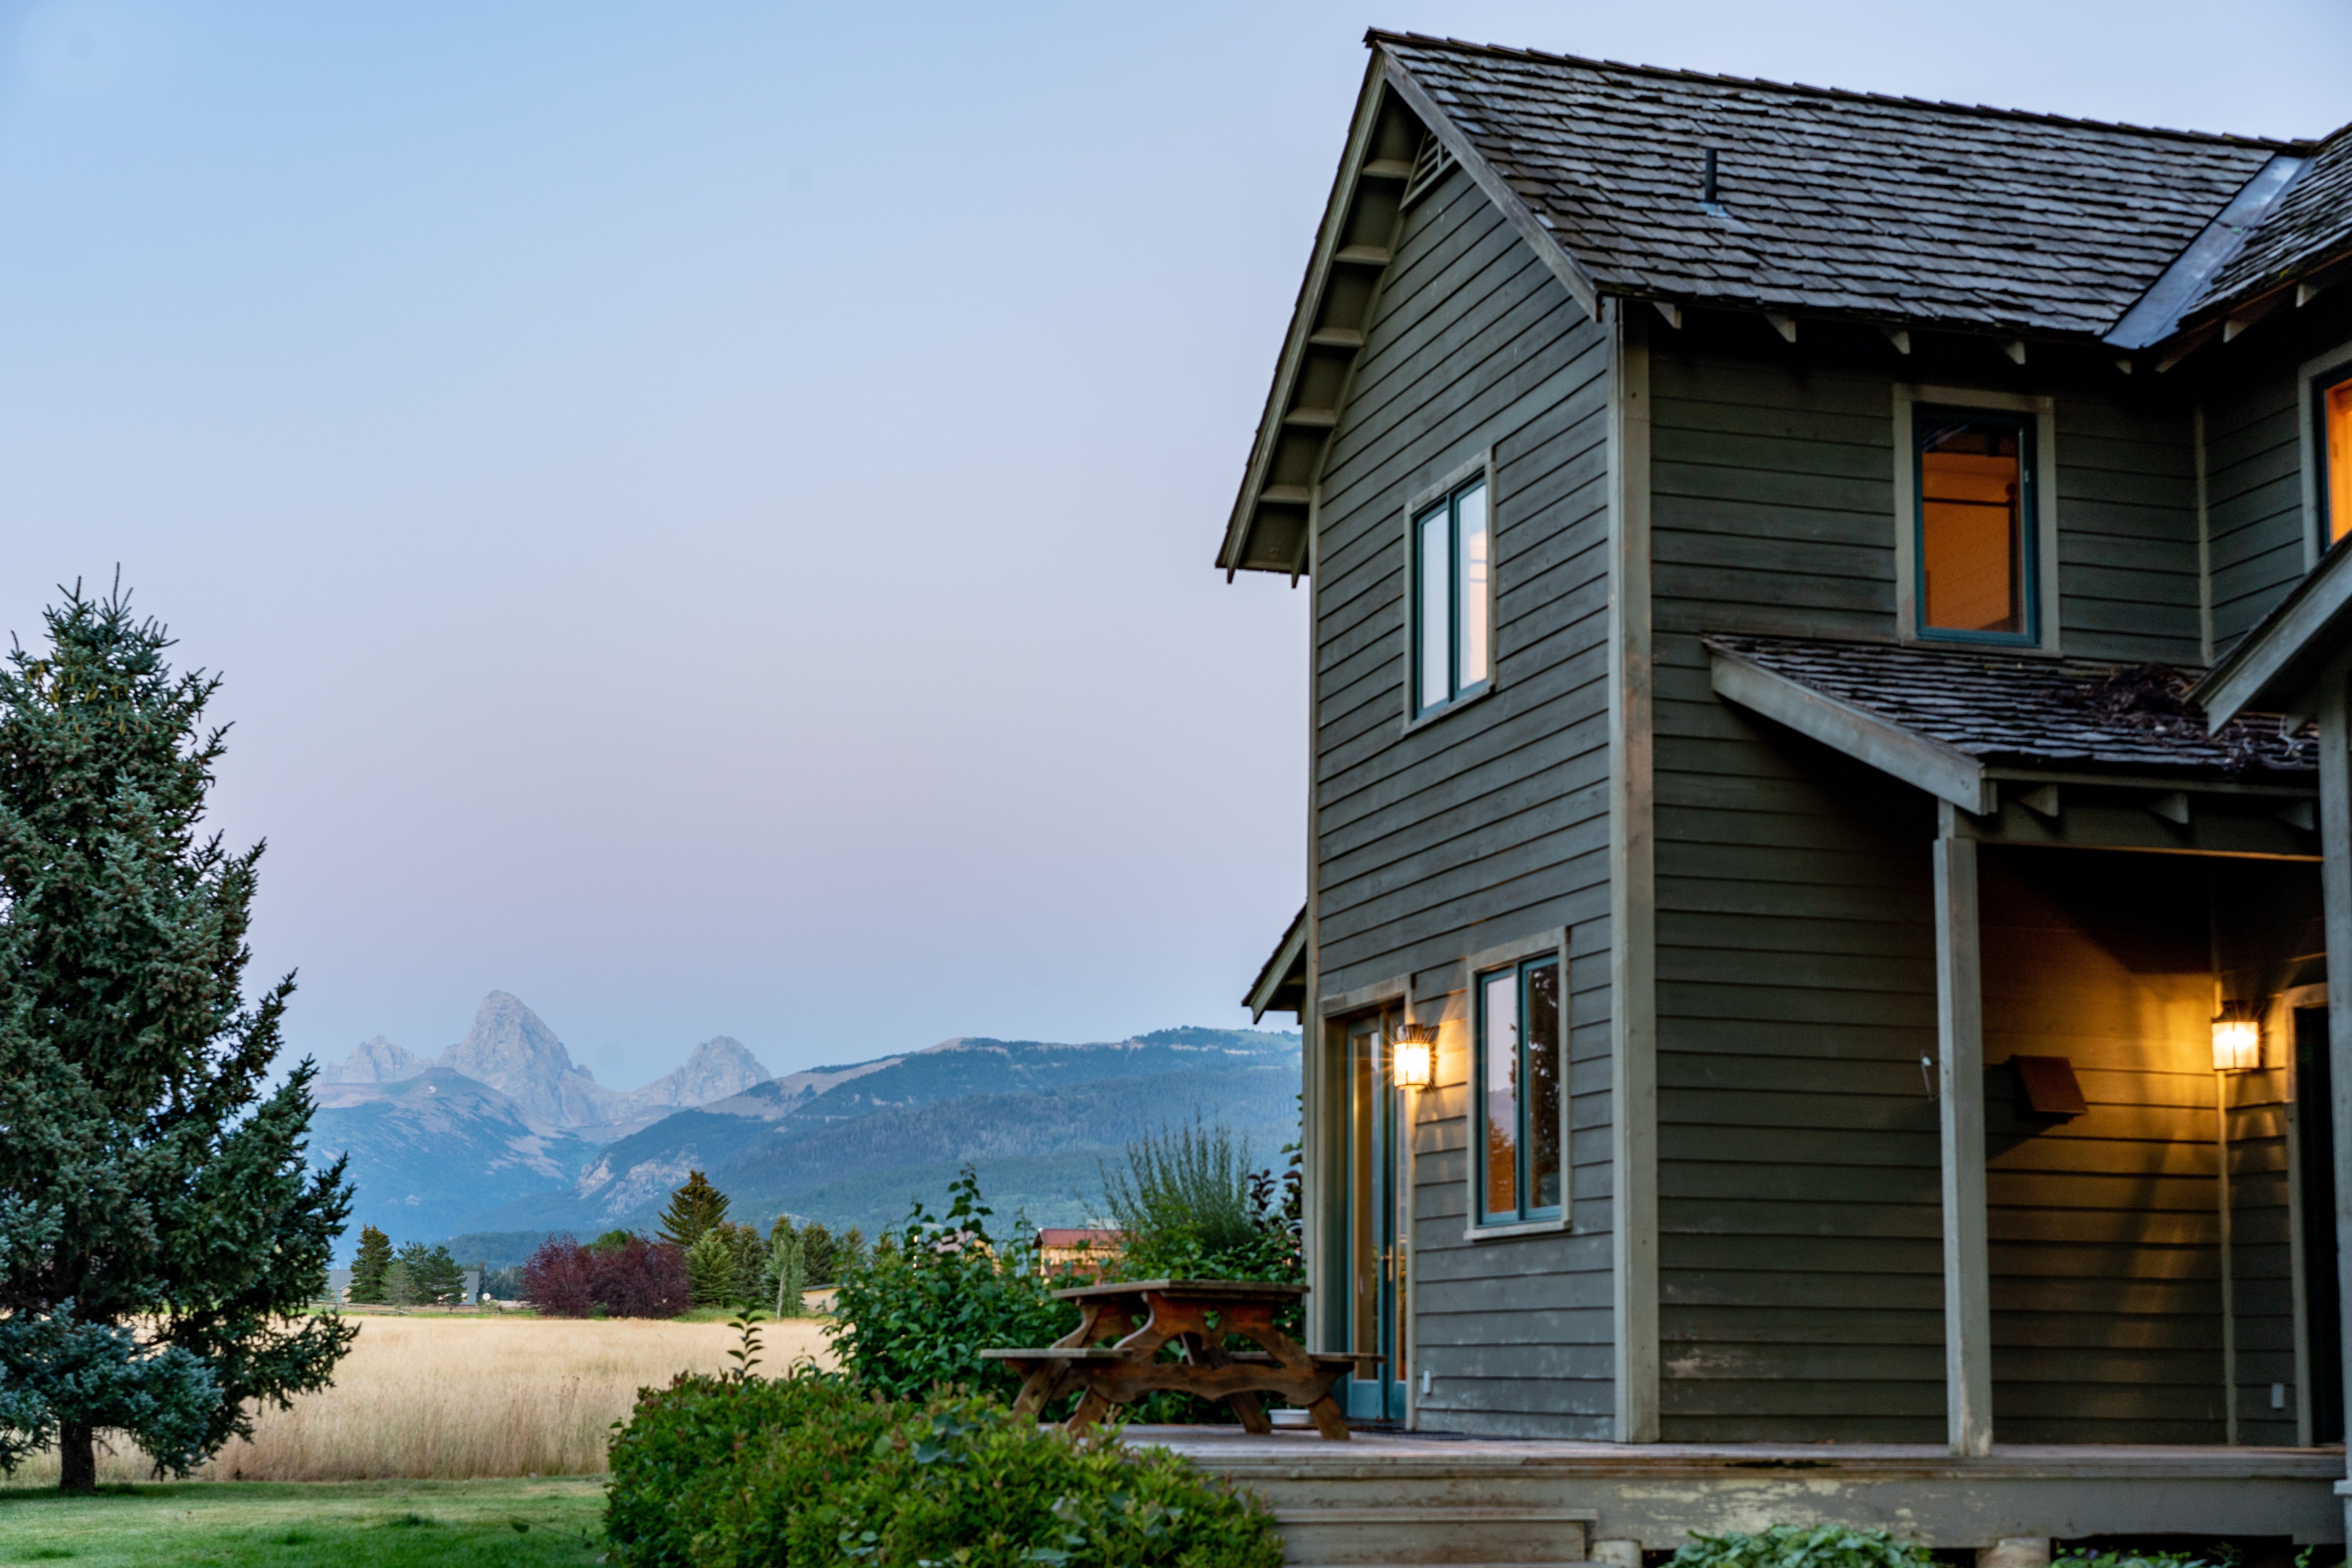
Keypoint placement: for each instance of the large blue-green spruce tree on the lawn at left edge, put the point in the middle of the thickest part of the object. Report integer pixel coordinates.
(161, 1231)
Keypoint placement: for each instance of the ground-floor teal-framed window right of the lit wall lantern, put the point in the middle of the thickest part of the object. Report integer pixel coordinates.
(1523, 1092)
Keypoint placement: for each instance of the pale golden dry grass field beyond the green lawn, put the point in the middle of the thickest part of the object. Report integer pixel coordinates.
(462, 1398)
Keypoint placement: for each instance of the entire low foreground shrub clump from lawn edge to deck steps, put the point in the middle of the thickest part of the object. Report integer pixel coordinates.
(808, 1470)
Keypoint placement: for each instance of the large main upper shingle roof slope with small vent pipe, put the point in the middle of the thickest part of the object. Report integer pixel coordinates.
(1833, 201)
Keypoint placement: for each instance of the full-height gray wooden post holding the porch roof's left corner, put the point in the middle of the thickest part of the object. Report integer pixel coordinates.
(1960, 1080)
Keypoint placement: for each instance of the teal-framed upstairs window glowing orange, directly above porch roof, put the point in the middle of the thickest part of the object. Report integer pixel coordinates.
(1977, 525)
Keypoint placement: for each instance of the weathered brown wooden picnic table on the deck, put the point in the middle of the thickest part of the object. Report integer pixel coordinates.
(1114, 1353)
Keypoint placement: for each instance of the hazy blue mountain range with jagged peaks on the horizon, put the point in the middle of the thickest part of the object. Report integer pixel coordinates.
(507, 1134)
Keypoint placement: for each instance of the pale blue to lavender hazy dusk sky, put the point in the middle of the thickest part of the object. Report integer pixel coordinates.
(707, 509)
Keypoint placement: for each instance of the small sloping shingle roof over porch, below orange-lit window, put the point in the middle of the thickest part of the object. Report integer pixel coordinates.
(2073, 713)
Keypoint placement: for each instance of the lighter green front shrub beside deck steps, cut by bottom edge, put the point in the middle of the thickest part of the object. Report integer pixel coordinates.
(965, 1482)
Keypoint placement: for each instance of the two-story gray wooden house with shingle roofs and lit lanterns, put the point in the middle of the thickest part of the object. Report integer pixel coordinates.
(1786, 960)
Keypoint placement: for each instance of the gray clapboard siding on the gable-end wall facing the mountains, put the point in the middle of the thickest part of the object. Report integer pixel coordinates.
(1488, 824)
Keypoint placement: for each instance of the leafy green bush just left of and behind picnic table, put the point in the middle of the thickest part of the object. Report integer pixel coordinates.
(928, 1301)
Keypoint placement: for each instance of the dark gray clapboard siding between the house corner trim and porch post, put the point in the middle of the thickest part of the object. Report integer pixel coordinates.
(1796, 967)
